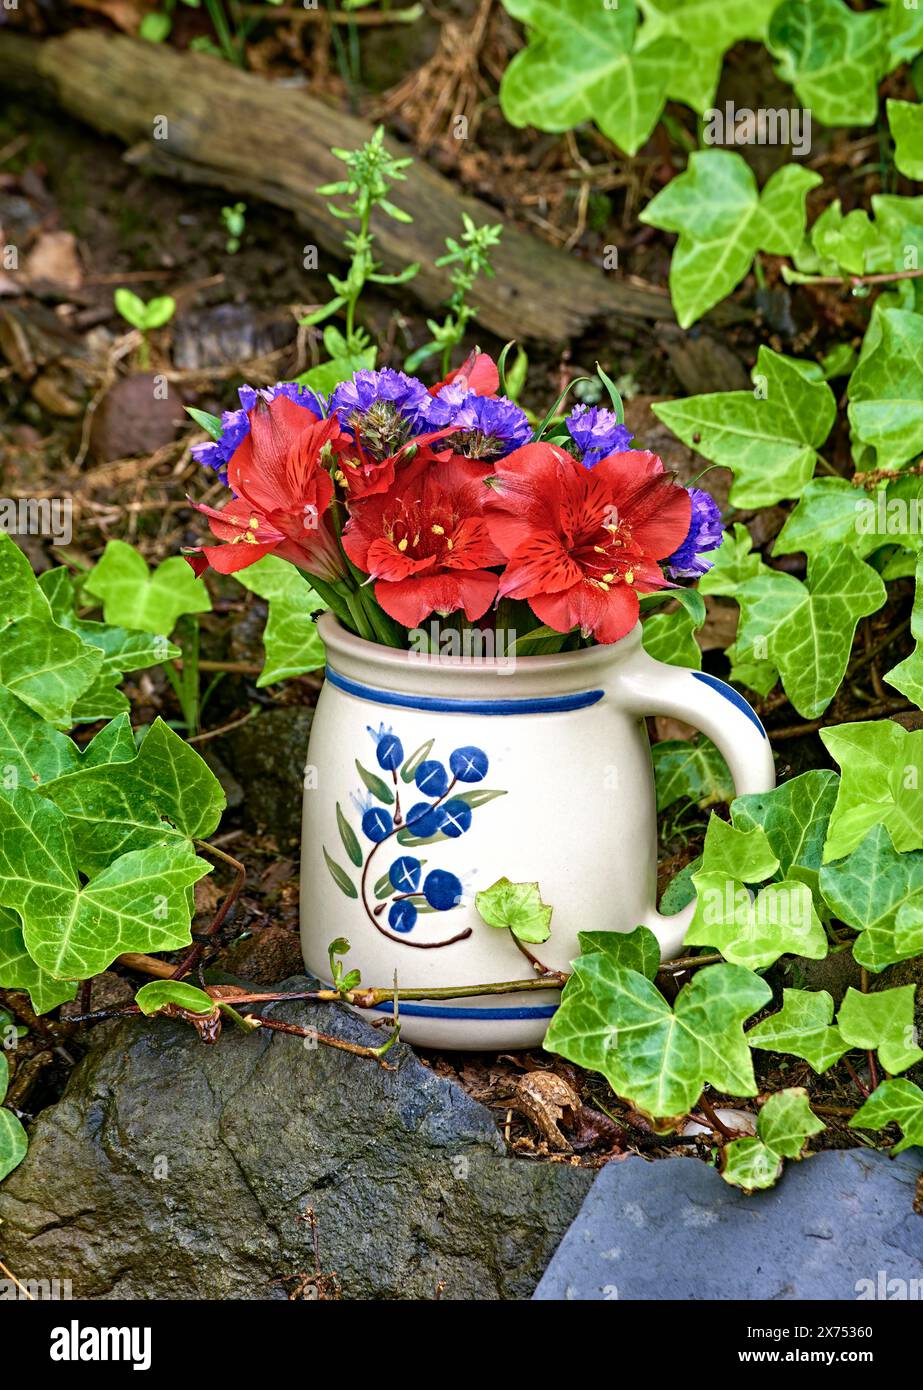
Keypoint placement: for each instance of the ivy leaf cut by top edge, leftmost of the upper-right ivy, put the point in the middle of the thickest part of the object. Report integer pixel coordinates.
(580, 66)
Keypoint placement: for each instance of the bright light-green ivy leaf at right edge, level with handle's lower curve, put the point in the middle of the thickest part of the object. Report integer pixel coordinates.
(882, 768)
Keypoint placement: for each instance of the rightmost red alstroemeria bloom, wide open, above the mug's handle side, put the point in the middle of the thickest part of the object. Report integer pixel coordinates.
(583, 543)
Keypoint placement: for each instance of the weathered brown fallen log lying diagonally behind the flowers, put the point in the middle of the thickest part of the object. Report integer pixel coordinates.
(198, 119)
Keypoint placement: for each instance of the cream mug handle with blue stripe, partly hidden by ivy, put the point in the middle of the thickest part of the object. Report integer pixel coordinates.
(651, 687)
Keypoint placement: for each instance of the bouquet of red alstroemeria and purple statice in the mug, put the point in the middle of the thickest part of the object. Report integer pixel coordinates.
(408, 504)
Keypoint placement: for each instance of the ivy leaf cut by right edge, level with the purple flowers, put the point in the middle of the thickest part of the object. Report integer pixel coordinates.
(886, 390)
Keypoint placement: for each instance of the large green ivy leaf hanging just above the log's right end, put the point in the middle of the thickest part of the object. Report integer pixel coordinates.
(724, 220)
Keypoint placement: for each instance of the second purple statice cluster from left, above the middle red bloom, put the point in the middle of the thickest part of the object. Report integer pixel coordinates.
(384, 409)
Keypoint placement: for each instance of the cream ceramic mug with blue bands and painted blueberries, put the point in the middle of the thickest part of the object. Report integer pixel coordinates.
(429, 779)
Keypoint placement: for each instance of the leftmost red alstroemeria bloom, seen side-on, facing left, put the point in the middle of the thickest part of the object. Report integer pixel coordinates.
(283, 494)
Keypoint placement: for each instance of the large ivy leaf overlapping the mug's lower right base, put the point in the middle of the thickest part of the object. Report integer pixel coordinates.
(657, 1057)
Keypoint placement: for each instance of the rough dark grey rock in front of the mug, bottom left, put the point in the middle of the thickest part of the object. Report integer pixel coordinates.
(173, 1170)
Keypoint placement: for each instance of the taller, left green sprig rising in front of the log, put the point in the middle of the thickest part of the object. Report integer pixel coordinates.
(370, 173)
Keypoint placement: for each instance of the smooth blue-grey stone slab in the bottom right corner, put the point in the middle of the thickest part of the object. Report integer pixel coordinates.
(840, 1225)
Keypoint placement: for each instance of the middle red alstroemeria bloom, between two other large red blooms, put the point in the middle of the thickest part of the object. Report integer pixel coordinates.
(426, 543)
